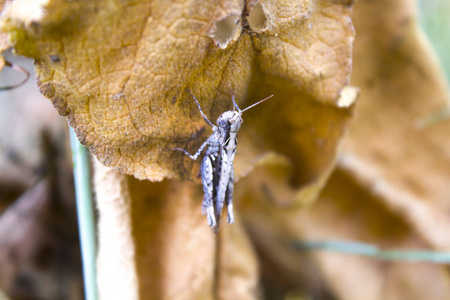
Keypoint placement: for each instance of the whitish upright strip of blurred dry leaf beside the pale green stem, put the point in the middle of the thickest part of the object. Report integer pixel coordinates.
(117, 278)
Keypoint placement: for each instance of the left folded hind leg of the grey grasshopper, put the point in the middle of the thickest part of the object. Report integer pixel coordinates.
(206, 171)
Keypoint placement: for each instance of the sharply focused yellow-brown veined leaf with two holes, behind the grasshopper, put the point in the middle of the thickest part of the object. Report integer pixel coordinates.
(119, 72)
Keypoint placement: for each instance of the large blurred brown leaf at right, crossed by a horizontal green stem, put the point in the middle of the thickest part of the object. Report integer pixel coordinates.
(390, 188)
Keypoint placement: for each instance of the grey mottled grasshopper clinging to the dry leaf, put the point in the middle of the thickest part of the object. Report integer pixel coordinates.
(217, 169)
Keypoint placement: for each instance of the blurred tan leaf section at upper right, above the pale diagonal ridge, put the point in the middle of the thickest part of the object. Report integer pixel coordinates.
(407, 166)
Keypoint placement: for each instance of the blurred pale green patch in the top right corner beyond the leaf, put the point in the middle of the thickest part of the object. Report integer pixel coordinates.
(434, 16)
